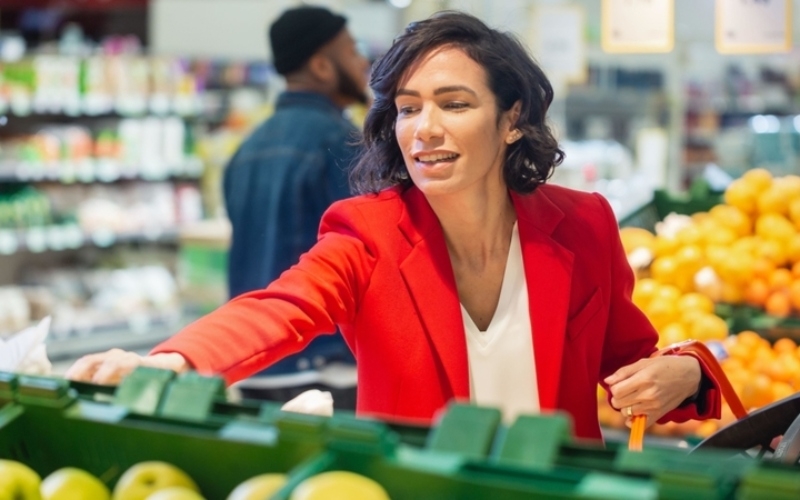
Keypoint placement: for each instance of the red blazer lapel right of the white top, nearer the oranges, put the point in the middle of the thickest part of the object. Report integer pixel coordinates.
(548, 273)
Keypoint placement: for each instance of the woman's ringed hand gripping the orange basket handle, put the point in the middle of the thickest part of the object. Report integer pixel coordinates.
(654, 386)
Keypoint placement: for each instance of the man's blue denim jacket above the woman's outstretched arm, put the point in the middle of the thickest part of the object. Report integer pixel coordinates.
(281, 180)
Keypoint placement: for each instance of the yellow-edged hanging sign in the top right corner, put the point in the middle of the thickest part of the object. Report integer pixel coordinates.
(753, 26)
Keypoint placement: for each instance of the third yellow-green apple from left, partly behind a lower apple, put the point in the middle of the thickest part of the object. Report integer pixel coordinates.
(145, 478)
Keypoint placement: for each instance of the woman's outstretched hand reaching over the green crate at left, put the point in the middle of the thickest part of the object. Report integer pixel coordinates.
(110, 367)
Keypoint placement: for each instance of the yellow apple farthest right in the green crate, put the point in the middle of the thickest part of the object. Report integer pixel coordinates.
(339, 485)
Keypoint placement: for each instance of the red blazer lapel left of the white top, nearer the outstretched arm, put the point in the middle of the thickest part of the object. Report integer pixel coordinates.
(428, 274)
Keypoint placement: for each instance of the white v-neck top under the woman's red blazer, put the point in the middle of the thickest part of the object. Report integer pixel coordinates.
(502, 371)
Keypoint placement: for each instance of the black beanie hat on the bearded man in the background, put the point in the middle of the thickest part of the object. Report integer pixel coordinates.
(298, 33)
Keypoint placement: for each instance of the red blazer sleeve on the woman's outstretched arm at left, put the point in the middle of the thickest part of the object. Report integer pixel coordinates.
(259, 328)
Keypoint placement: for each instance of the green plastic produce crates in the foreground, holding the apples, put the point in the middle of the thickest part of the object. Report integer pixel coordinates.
(469, 454)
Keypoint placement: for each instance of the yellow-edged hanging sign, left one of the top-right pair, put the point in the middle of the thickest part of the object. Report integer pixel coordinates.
(638, 26)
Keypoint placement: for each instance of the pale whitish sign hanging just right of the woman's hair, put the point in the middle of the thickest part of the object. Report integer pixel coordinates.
(558, 41)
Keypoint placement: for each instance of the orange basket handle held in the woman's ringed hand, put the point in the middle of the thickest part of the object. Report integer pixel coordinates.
(700, 351)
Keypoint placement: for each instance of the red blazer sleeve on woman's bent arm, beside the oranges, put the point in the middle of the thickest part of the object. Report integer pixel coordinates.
(630, 336)
